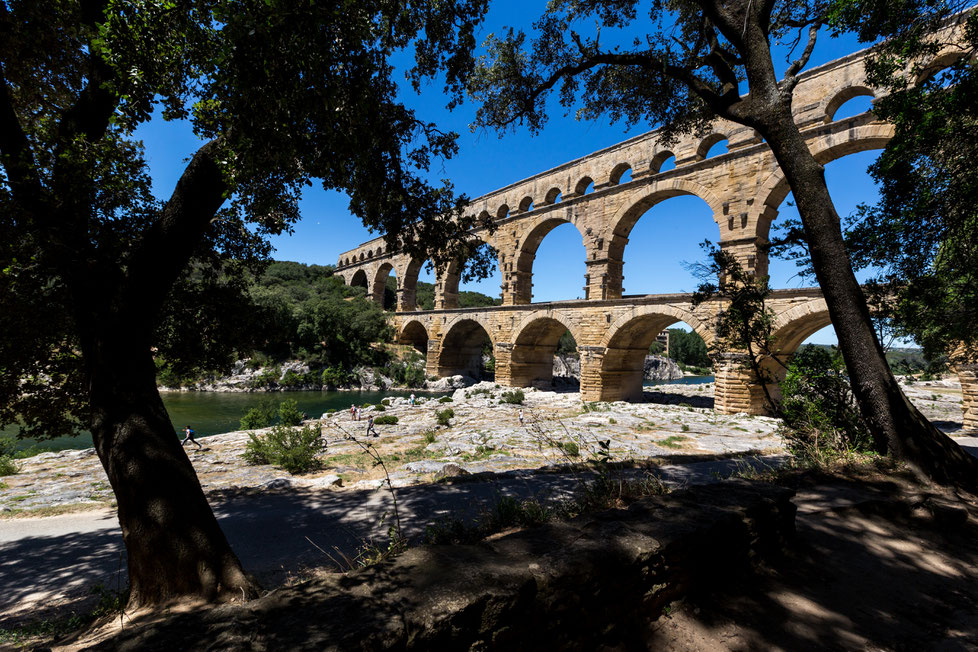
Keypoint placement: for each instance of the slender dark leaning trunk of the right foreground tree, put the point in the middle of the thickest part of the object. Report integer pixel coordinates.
(893, 420)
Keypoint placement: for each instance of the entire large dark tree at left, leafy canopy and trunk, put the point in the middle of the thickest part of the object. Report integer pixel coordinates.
(97, 276)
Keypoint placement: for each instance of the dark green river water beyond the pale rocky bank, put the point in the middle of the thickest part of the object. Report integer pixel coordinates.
(211, 413)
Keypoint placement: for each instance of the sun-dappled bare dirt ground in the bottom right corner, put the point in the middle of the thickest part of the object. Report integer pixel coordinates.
(873, 574)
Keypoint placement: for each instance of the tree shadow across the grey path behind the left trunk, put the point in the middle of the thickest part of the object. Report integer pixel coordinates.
(279, 534)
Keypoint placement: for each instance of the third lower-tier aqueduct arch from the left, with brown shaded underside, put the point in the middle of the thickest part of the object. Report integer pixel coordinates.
(534, 343)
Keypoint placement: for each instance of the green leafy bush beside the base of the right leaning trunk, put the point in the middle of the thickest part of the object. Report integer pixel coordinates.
(821, 420)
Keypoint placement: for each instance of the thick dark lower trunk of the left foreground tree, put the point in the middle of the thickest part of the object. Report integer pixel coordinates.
(176, 548)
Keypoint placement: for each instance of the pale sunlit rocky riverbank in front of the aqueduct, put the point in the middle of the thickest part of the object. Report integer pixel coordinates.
(484, 435)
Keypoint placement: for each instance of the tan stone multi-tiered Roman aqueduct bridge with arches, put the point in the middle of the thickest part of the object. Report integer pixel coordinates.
(744, 187)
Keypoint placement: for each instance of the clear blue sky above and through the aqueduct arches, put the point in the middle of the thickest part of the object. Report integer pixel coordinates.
(664, 238)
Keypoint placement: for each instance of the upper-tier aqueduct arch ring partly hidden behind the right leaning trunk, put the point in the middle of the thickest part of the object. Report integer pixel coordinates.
(831, 147)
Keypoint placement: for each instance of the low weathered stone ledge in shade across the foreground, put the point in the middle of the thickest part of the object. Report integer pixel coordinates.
(594, 582)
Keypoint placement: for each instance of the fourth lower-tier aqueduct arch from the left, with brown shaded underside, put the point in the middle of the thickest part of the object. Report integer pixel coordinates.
(622, 366)
